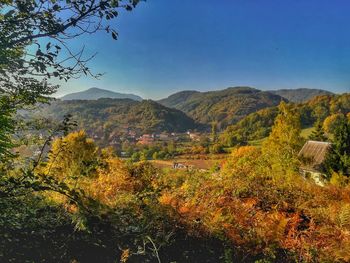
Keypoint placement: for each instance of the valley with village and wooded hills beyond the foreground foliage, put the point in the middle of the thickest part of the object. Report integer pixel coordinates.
(147, 130)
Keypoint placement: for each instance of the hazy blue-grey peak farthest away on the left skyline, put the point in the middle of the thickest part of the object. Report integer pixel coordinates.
(96, 93)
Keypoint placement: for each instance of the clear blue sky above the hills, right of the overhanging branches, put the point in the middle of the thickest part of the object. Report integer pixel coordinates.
(166, 46)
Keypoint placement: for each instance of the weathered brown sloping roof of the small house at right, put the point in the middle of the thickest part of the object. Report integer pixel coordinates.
(313, 154)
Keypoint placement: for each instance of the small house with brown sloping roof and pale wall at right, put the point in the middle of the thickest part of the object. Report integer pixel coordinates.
(313, 155)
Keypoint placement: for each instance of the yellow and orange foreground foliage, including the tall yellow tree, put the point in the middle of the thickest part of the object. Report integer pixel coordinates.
(257, 204)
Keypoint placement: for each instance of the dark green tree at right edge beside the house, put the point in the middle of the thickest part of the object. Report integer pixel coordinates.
(338, 158)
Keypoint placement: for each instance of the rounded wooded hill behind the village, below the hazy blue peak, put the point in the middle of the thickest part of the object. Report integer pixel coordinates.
(117, 116)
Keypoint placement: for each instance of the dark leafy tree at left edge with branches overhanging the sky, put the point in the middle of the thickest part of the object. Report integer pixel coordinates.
(34, 46)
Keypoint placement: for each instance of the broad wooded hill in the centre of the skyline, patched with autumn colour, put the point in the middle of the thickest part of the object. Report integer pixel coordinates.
(224, 106)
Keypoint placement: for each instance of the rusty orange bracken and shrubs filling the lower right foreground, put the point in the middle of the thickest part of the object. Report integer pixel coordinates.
(298, 216)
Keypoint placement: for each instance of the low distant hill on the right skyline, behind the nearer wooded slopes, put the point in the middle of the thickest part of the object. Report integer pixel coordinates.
(300, 95)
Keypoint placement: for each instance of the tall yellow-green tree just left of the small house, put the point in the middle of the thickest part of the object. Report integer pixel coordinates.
(282, 146)
